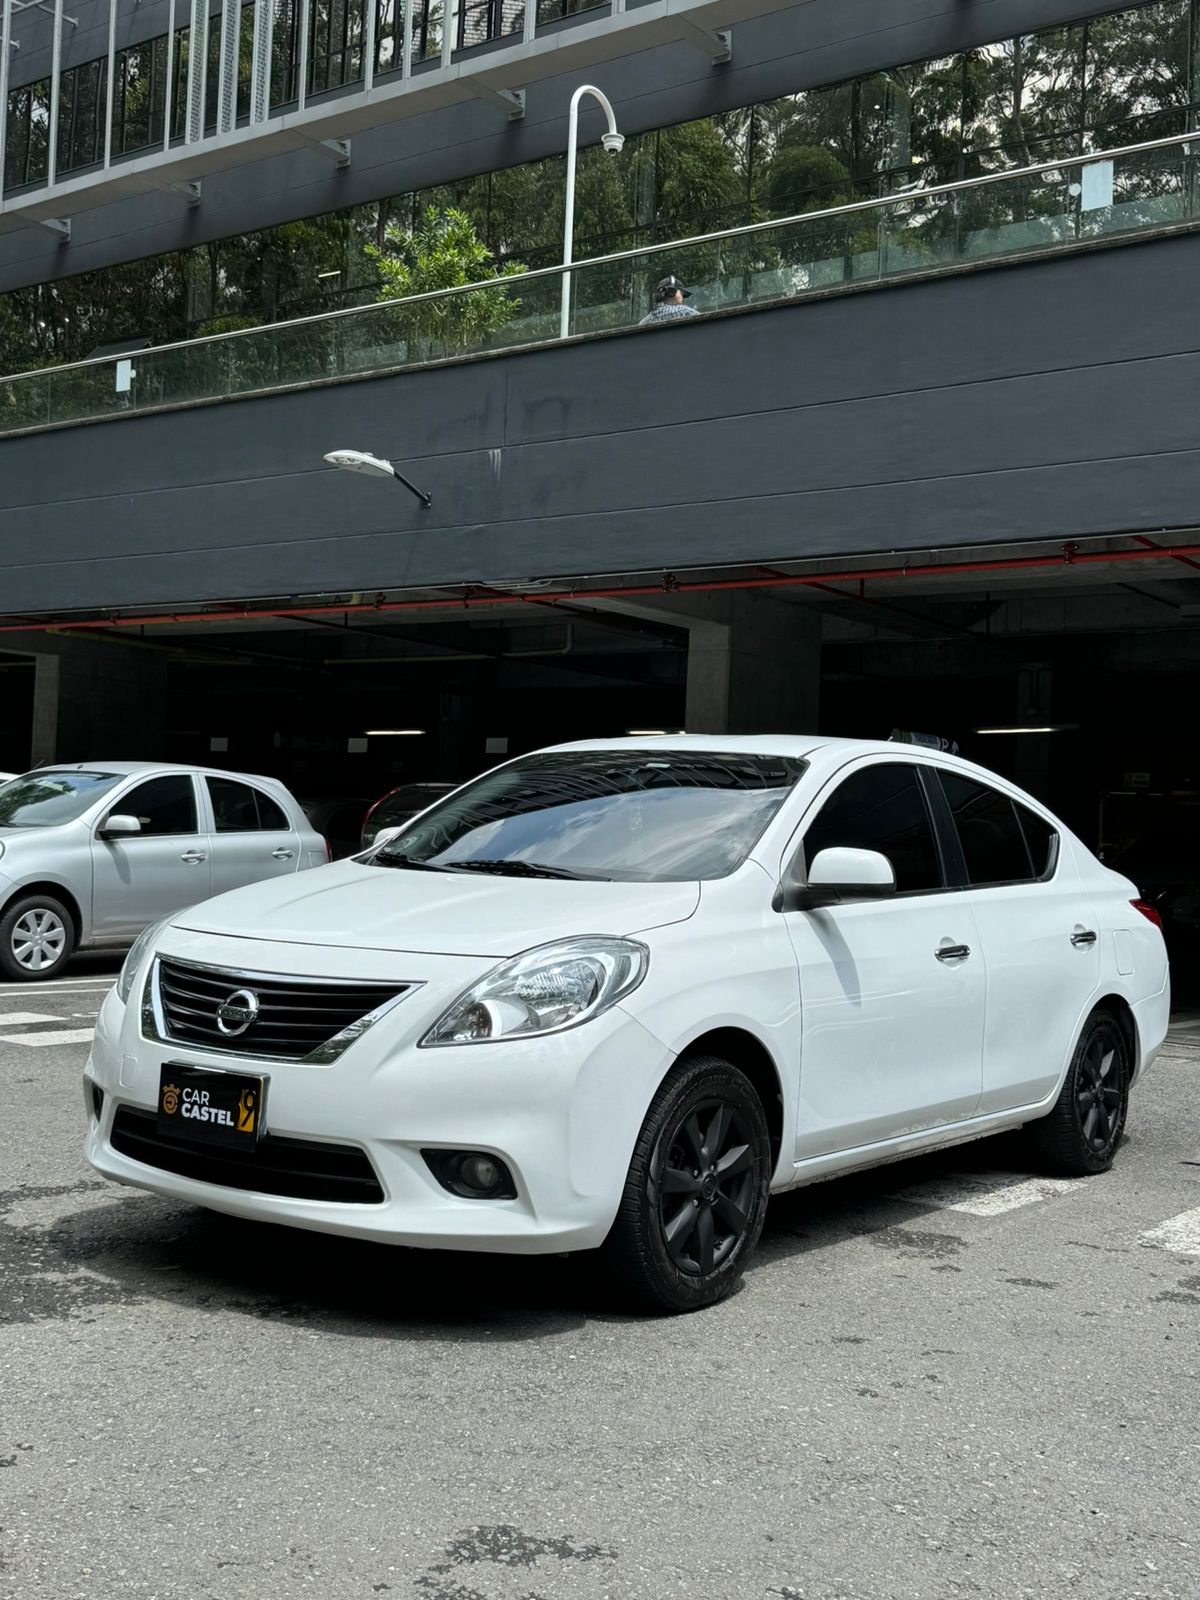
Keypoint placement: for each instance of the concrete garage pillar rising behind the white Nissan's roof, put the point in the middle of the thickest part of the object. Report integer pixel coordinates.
(754, 663)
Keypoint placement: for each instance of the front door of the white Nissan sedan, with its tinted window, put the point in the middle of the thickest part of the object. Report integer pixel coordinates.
(892, 991)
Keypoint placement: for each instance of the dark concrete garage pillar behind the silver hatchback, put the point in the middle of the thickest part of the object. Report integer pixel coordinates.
(97, 702)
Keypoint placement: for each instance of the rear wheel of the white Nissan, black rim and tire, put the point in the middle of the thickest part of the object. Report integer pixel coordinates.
(1082, 1134)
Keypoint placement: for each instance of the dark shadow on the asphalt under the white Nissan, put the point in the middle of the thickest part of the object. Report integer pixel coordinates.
(150, 1249)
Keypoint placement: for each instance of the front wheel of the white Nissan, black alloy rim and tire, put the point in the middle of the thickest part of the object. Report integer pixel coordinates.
(695, 1198)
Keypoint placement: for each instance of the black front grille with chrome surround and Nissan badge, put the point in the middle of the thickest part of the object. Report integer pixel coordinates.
(297, 1018)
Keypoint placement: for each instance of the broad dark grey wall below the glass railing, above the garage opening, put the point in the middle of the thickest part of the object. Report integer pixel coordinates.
(1036, 402)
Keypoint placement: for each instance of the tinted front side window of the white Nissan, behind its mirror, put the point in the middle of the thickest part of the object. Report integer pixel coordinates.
(881, 809)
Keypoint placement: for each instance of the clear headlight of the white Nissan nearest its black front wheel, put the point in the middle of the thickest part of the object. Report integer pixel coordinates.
(545, 991)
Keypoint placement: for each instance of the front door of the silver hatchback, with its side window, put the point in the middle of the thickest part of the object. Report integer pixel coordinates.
(140, 878)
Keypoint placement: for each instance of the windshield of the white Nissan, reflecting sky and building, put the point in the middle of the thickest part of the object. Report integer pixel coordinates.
(641, 817)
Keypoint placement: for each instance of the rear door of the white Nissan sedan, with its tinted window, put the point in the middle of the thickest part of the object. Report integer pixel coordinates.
(1039, 934)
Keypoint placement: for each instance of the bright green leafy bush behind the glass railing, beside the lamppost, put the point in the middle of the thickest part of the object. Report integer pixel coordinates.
(444, 252)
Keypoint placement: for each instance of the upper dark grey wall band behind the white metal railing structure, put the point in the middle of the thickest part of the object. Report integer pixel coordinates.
(809, 44)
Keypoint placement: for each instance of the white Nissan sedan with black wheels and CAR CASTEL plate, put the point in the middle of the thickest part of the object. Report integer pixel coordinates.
(614, 994)
